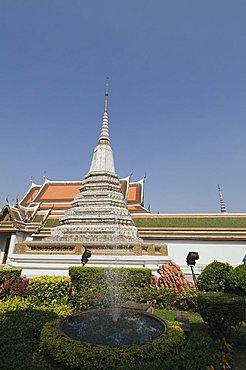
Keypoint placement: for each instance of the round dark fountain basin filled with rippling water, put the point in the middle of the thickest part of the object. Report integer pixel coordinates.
(97, 327)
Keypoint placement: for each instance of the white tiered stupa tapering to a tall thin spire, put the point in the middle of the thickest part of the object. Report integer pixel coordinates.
(99, 213)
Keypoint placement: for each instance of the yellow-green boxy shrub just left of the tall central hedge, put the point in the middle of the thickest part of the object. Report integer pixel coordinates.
(49, 289)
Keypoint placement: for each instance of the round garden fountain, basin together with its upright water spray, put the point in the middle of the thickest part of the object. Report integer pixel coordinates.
(114, 326)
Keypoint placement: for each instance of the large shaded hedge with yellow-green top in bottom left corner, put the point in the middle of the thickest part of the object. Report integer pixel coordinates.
(21, 323)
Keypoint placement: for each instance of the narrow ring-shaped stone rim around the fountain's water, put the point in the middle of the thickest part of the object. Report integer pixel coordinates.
(96, 310)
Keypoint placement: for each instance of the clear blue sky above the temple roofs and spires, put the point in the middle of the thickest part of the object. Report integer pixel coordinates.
(177, 79)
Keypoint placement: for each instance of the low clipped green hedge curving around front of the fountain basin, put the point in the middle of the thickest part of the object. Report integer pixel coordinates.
(77, 355)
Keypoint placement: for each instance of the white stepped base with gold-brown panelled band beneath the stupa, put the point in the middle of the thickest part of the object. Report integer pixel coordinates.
(55, 258)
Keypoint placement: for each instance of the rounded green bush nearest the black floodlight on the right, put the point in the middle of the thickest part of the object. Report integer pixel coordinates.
(214, 277)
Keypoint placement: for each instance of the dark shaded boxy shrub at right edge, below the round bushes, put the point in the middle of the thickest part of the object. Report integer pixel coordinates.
(222, 312)
